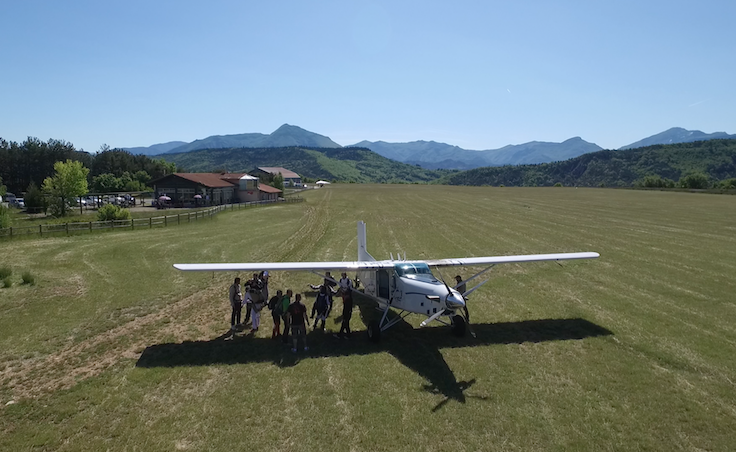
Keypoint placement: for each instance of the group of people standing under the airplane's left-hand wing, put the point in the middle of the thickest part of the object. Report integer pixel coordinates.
(253, 297)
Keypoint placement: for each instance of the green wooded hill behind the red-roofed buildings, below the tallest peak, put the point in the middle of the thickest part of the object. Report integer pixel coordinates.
(338, 164)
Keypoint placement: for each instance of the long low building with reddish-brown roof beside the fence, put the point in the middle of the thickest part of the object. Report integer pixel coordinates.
(212, 188)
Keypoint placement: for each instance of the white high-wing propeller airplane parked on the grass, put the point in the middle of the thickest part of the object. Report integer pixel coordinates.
(405, 285)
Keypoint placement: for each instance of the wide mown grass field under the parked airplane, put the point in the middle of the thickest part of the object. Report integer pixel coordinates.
(113, 349)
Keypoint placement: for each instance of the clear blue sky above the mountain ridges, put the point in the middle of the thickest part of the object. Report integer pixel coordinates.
(477, 74)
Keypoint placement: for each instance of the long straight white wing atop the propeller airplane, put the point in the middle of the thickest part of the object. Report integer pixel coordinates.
(368, 265)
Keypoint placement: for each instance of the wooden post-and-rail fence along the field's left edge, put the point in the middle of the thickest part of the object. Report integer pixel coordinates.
(44, 230)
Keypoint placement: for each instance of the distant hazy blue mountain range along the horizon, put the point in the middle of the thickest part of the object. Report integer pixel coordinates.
(427, 154)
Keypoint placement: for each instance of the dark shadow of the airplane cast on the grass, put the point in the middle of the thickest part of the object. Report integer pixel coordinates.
(417, 349)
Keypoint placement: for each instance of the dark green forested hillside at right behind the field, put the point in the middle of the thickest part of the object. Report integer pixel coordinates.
(715, 158)
